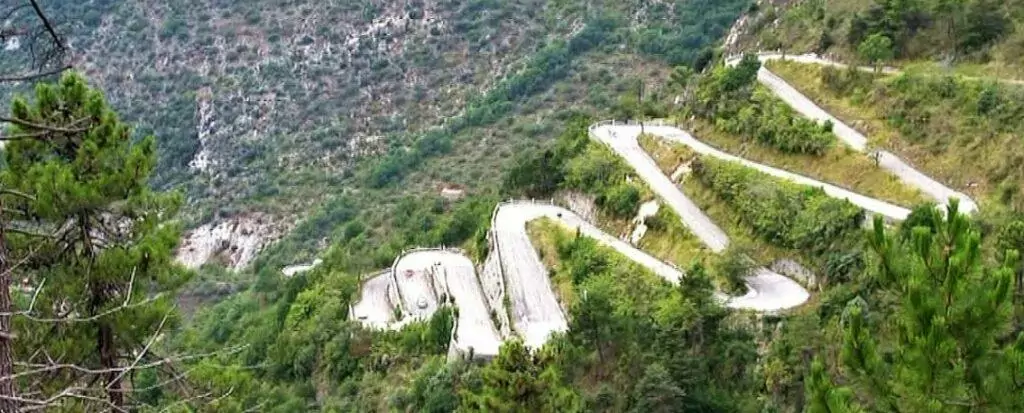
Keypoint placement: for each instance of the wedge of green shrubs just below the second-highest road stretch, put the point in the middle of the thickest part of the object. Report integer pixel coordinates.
(782, 213)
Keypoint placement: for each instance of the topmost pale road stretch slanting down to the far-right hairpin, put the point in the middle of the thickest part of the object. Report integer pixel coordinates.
(852, 138)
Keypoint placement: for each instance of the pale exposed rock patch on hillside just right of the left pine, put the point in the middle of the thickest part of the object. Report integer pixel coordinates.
(235, 241)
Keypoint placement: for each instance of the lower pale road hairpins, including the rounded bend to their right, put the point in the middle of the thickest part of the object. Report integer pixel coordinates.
(536, 312)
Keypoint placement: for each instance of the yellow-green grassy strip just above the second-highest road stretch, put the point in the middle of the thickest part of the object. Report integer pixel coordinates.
(840, 167)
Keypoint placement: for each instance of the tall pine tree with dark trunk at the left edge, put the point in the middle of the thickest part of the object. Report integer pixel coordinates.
(96, 241)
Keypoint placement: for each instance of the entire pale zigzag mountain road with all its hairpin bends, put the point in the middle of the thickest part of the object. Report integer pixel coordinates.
(420, 279)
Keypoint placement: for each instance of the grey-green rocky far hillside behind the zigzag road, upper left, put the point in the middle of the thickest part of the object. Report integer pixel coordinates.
(259, 104)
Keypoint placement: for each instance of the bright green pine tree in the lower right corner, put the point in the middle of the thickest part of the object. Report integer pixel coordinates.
(946, 344)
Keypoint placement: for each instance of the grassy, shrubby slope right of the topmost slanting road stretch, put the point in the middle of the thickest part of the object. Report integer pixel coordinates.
(957, 121)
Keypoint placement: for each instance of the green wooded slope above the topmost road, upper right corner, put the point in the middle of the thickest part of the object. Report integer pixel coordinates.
(987, 33)
